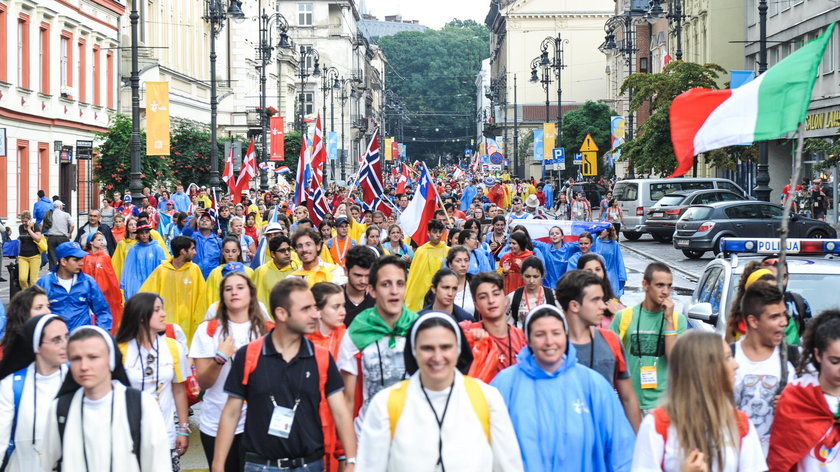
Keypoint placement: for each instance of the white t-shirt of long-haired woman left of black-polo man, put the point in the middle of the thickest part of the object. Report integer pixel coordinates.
(214, 399)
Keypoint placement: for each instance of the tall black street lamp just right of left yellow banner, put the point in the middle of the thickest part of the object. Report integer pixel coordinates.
(215, 13)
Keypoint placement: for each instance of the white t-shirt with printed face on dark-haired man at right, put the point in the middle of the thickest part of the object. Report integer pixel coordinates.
(756, 383)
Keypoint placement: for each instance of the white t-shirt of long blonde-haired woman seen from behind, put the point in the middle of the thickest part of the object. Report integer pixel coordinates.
(653, 455)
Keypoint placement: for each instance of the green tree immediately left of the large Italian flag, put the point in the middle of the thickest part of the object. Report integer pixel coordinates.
(651, 149)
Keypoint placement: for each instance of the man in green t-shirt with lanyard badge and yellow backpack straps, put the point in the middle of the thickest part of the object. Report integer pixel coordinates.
(648, 332)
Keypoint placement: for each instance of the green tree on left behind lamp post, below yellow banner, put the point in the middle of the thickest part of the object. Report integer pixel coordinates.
(112, 166)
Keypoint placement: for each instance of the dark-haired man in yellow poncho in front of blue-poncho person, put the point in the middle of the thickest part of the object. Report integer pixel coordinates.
(181, 285)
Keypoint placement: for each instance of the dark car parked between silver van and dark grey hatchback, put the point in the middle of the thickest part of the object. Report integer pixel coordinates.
(663, 215)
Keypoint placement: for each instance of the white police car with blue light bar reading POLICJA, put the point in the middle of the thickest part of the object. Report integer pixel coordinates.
(813, 273)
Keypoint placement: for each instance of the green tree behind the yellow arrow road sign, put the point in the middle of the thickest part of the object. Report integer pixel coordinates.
(592, 119)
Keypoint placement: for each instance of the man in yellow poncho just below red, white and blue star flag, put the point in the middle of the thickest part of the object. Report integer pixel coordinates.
(428, 259)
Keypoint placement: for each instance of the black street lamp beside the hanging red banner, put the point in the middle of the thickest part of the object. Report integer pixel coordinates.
(265, 49)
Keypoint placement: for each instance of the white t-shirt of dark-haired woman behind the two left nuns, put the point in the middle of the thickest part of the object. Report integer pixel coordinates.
(159, 384)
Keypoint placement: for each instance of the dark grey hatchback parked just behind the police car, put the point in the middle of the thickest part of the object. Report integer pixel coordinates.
(700, 228)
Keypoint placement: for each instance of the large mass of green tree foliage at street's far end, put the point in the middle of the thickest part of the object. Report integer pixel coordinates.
(433, 74)
